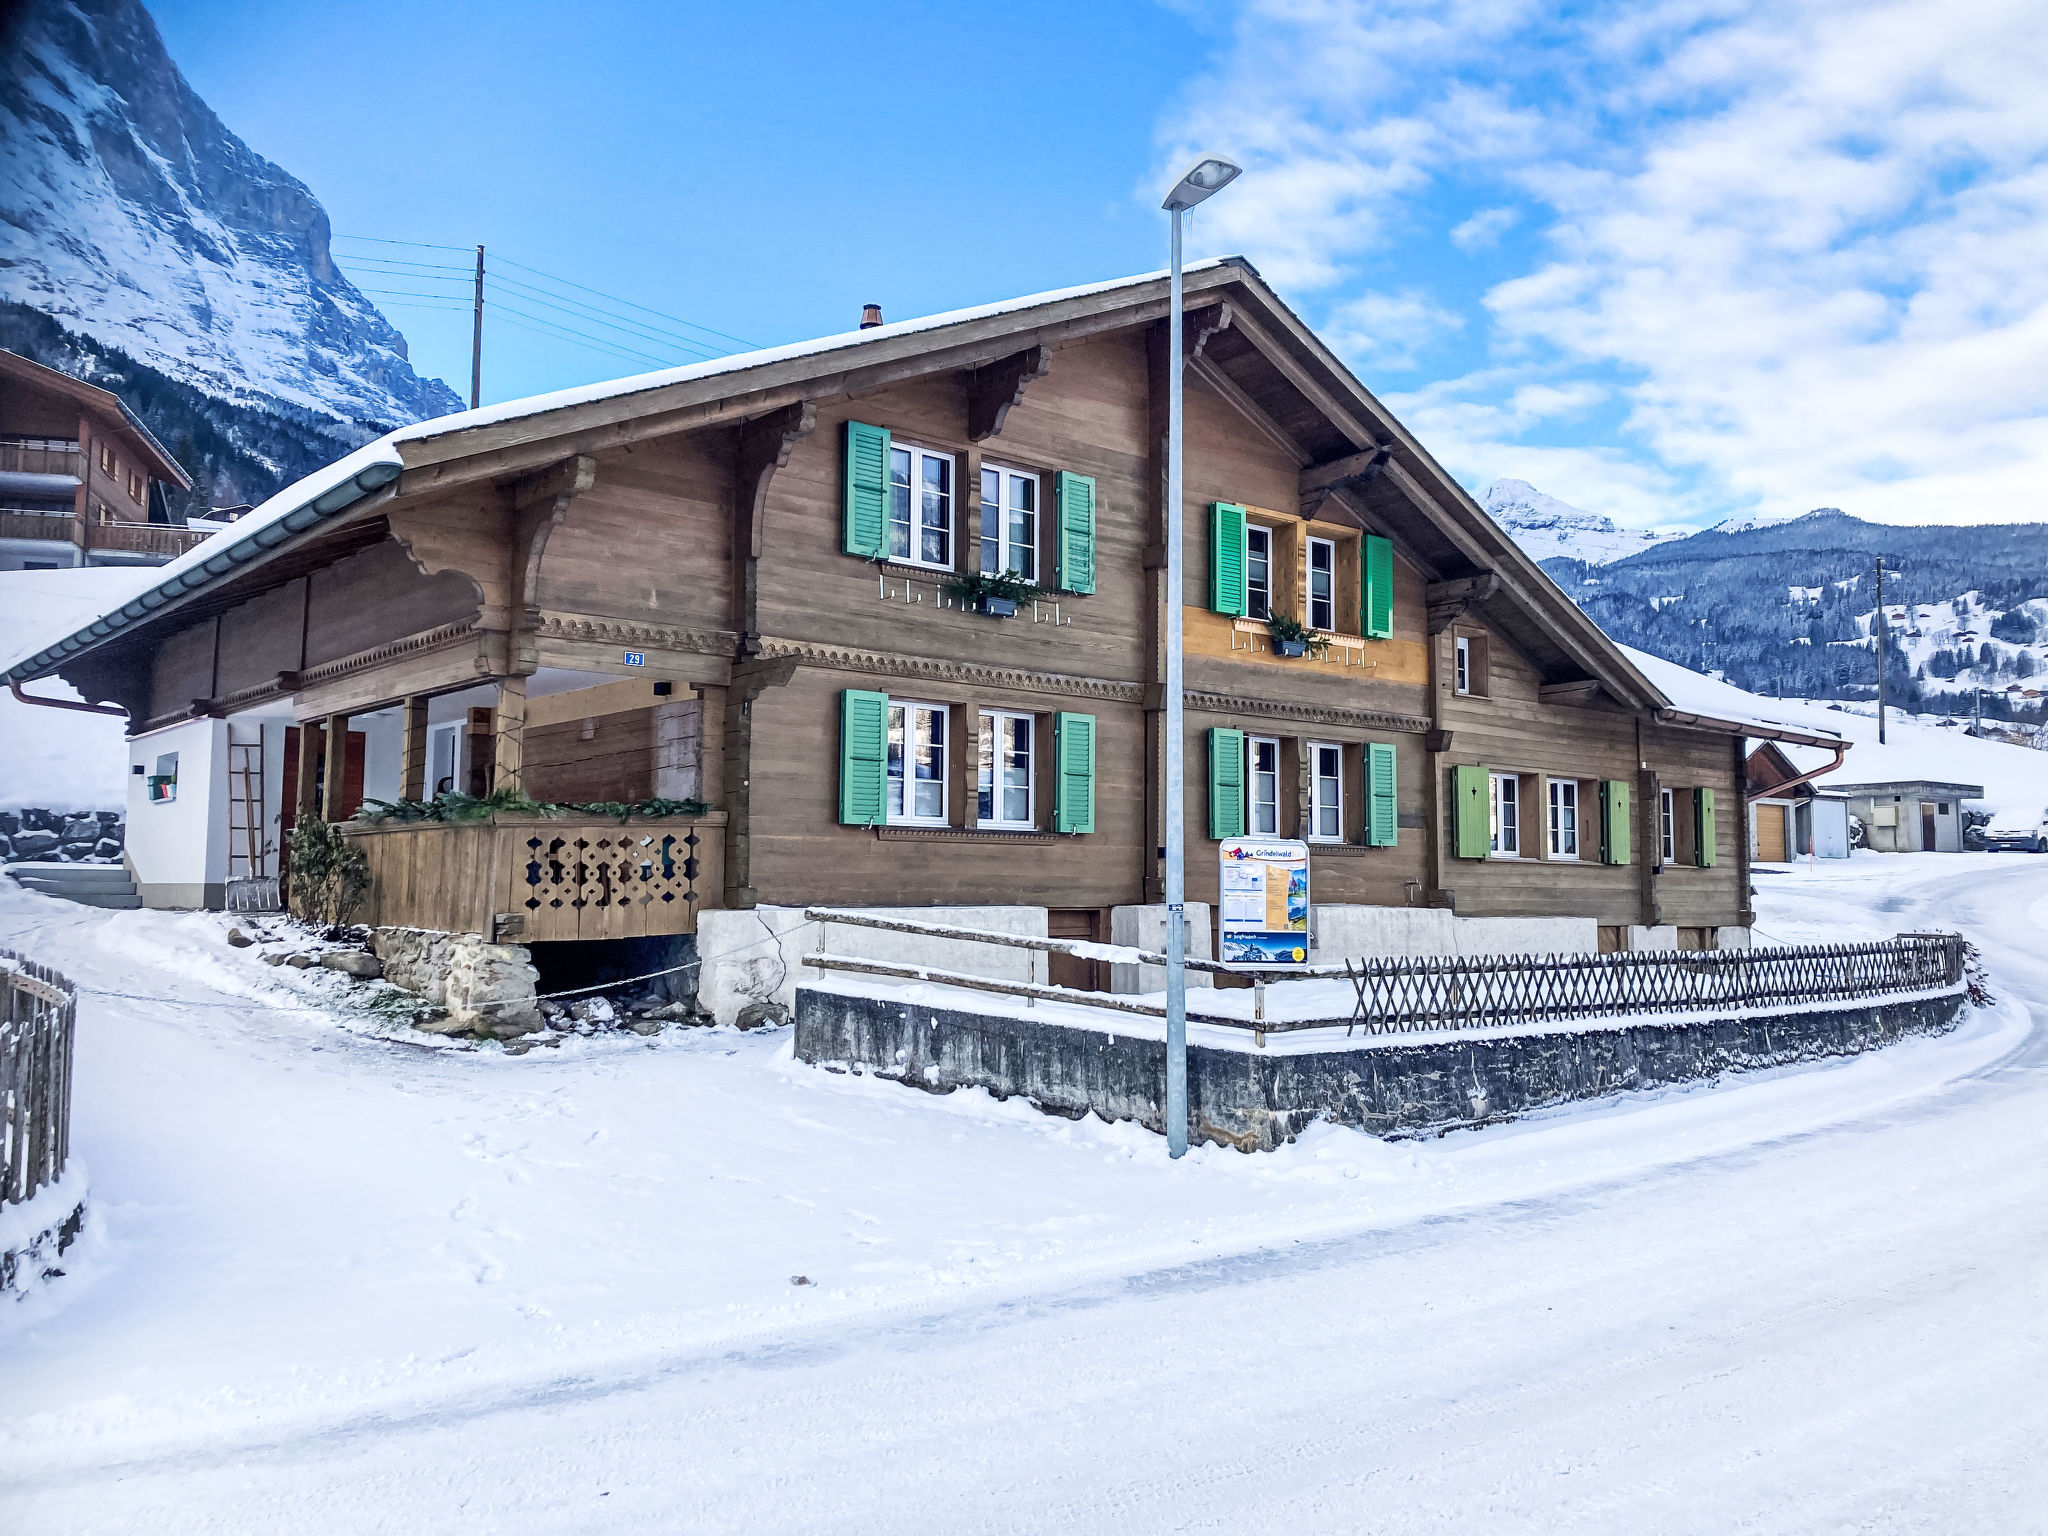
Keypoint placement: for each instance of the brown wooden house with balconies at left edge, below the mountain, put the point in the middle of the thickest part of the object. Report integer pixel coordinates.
(81, 478)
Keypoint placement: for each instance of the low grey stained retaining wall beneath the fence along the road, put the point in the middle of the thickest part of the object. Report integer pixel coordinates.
(1256, 1099)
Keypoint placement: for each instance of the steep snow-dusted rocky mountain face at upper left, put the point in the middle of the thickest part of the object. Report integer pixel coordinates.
(132, 216)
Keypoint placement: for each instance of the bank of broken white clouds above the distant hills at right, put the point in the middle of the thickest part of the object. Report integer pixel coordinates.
(1797, 241)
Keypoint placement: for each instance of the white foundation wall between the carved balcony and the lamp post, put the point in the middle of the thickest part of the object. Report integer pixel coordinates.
(753, 957)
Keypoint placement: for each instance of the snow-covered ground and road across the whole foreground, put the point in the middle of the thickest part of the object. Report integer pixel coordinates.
(343, 1279)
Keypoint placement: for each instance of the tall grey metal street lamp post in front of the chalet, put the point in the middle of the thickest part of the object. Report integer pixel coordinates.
(1201, 179)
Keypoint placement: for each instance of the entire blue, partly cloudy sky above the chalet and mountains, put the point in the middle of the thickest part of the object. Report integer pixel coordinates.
(1670, 261)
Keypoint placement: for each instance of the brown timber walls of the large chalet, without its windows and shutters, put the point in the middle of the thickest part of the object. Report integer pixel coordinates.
(693, 538)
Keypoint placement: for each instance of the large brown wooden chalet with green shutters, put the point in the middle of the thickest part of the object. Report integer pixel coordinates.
(740, 581)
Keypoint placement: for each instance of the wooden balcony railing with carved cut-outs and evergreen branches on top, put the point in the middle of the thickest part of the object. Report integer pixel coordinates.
(529, 880)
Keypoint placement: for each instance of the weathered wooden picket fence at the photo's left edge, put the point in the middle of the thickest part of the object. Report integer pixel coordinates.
(38, 1015)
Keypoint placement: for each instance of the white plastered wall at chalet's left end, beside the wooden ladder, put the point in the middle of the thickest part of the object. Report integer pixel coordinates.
(177, 851)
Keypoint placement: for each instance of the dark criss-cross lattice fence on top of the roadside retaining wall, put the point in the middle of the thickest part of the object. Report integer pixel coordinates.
(1447, 994)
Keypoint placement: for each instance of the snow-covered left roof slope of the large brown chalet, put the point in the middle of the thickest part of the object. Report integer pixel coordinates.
(331, 490)
